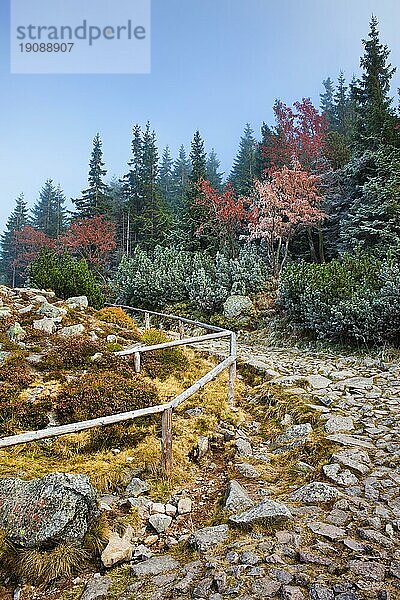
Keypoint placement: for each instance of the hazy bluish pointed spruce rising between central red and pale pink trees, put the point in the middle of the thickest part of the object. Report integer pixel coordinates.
(245, 165)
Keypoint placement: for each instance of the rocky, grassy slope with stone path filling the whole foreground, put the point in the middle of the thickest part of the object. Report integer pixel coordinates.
(293, 493)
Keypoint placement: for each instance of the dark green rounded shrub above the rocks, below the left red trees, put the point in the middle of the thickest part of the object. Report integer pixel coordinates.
(66, 276)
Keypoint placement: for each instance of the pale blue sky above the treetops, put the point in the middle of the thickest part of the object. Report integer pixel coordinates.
(216, 64)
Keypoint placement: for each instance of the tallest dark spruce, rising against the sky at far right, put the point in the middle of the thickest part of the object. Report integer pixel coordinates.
(376, 119)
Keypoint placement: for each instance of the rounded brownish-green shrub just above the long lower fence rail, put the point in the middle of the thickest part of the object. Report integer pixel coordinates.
(103, 393)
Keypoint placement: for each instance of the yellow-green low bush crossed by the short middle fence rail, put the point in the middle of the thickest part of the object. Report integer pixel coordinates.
(161, 363)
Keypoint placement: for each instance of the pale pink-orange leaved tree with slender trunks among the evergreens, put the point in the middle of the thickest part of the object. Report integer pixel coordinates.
(284, 203)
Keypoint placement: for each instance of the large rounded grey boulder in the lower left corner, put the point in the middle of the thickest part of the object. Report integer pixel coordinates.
(58, 508)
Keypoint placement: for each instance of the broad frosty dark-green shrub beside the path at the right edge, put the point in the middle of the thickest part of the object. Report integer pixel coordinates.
(356, 298)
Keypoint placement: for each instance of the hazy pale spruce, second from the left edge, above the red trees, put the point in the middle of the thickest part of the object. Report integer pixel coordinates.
(48, 213)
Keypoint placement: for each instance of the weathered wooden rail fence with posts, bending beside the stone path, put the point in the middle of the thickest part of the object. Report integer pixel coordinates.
(229, 363)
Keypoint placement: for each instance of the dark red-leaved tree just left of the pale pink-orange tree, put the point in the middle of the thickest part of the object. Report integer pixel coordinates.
(225, 215)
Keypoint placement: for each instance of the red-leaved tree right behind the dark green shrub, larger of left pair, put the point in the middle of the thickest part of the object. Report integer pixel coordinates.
(92, 239)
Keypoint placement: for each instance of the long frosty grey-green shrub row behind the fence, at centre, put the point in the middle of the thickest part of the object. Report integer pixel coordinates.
(171, 276)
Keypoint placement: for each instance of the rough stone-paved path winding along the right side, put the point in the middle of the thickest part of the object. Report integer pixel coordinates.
(355, 551)
